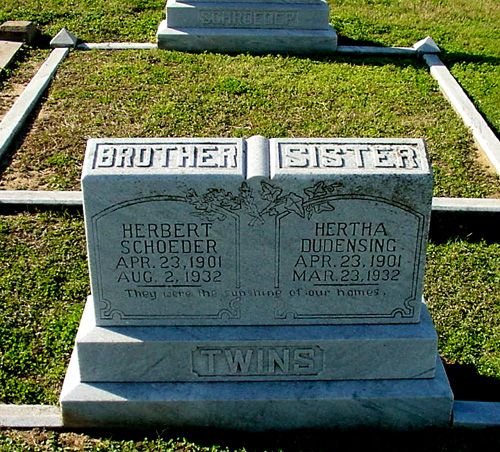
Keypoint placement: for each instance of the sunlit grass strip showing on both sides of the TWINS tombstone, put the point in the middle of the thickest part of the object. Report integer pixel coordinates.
(44, 285)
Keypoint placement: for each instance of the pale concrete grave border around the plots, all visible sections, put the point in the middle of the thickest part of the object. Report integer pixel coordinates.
(466, 414)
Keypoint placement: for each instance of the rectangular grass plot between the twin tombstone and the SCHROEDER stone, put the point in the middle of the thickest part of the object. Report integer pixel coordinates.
(173, 94)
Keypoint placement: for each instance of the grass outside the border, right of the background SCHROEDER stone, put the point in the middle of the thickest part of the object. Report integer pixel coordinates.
(465, 30)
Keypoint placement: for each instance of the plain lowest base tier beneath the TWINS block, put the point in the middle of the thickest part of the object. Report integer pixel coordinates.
(258, 406)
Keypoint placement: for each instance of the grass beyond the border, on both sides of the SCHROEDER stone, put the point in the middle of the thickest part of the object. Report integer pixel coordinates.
(467, 31)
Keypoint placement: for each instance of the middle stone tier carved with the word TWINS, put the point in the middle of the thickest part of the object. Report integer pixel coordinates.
(340, 352)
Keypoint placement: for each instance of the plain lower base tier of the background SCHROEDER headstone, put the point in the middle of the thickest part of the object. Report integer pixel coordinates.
(256, 41)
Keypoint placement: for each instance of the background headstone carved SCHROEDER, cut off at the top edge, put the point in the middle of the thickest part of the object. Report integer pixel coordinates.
(258, 26)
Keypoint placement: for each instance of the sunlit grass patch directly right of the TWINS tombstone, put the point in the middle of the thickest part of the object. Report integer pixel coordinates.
(462, 282)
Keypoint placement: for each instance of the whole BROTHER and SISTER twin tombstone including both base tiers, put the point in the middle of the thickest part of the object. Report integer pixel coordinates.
(256, 284)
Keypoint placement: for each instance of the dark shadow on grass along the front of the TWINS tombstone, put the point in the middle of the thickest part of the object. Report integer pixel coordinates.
(457, 440)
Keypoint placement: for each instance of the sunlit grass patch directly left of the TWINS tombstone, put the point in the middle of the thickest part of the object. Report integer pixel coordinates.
(43, 286)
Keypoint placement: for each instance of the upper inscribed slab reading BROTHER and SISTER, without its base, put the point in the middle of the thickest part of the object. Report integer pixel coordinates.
(324, 231)
